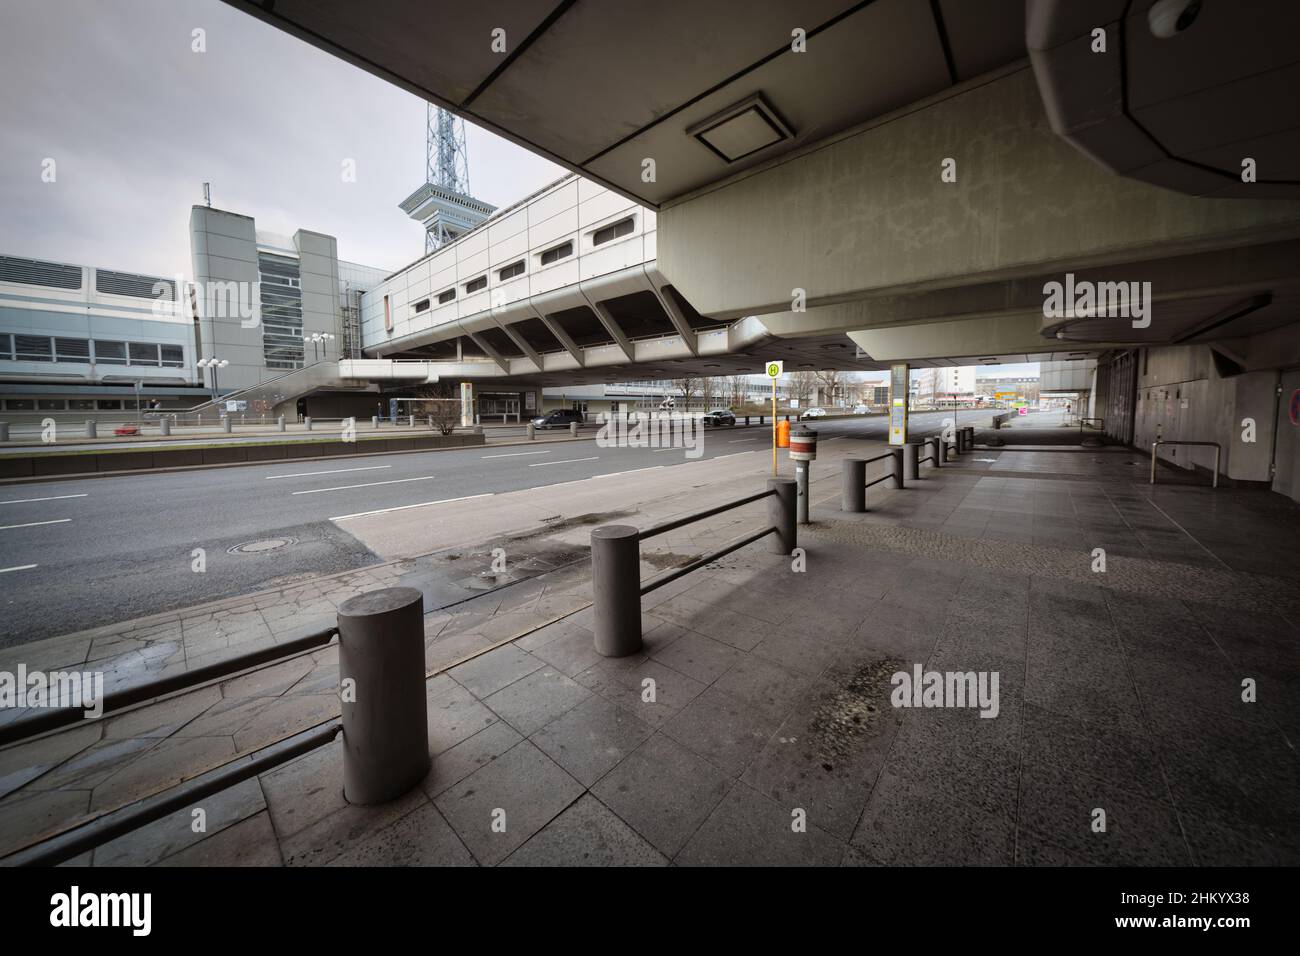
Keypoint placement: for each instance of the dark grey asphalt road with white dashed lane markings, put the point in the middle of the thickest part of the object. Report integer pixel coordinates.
(79, 555)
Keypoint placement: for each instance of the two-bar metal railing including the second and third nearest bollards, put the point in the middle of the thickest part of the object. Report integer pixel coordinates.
(617, 587)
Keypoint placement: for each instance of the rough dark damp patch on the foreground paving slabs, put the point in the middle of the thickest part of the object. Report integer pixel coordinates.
(857, 708)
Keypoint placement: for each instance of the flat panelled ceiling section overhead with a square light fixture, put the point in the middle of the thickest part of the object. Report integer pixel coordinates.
(603, 86)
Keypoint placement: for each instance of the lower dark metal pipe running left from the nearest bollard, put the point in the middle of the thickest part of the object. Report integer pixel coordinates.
(99, 832)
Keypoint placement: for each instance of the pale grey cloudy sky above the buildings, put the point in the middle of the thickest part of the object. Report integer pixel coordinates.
(136, 123)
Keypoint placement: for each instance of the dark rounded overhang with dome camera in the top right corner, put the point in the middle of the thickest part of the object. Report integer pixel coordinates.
(1181, 111)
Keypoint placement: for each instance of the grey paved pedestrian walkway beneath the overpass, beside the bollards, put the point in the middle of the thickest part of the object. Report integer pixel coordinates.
(759, 725)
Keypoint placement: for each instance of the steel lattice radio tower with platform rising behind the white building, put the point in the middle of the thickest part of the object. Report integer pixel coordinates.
(444, 204)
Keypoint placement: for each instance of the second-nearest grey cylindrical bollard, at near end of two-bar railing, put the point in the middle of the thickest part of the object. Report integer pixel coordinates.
(617, 590)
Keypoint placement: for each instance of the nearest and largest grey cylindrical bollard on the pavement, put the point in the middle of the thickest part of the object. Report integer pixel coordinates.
(385, 716)
